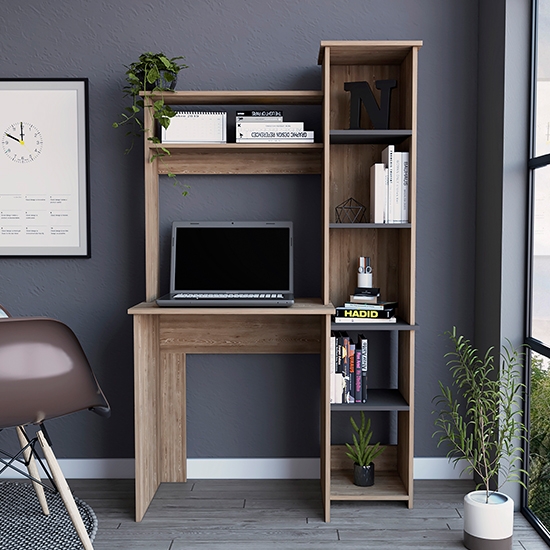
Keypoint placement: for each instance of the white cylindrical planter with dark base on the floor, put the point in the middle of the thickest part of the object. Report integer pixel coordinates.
(488, 526)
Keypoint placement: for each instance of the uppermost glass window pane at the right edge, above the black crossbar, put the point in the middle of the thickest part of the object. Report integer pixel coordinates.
(542, 114)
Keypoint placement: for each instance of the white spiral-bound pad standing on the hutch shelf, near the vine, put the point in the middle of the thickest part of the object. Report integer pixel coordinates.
(196, 127)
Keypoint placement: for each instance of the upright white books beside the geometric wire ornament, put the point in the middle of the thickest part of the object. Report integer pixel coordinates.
(389, 187)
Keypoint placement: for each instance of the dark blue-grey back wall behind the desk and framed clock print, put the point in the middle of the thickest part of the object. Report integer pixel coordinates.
(241, 45)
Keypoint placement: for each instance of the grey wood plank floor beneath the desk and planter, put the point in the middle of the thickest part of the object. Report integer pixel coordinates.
(279, 515)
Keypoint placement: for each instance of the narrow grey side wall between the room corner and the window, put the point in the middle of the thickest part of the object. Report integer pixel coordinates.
(502, 192)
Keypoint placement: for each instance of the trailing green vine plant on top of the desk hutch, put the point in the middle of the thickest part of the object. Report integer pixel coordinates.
(153, 72)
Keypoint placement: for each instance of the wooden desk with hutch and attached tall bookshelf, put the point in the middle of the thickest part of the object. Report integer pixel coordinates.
(164, 336)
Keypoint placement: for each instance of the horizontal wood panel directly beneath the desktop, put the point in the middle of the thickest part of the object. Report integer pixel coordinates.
(241, 334)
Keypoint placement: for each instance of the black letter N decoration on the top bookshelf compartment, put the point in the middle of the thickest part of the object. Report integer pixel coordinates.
(362, 92)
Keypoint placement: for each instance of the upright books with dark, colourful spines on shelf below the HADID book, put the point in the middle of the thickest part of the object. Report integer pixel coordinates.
(348, 368)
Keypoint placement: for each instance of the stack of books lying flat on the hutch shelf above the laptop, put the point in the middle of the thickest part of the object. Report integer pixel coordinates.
(269, 127)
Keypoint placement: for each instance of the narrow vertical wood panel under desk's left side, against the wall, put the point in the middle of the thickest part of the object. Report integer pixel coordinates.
(172, 426)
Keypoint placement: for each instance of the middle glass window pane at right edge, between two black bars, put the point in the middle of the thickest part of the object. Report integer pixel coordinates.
(540, 311)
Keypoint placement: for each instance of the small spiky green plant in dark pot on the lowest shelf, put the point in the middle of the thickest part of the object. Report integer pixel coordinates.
(362, 453)
